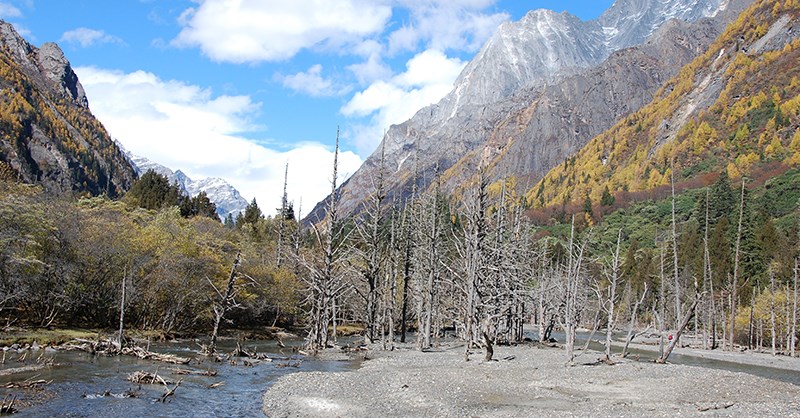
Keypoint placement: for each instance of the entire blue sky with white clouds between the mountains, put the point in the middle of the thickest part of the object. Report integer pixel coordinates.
(238, 88)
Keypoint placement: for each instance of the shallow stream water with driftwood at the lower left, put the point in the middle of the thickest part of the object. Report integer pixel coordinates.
(88, 385)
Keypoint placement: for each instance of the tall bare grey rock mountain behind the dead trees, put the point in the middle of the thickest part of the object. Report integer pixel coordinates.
(539, 90)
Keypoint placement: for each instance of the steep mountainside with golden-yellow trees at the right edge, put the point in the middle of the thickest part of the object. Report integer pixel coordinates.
(735, 108)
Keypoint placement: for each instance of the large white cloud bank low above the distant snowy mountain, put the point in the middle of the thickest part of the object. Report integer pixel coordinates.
(187, 127)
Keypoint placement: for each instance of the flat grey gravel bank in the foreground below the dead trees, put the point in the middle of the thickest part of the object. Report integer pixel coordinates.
(526, 381)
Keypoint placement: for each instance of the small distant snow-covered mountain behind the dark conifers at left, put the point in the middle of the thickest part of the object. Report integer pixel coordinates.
(219, 191)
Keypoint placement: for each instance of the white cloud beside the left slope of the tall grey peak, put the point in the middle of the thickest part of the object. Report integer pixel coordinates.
(428, 78)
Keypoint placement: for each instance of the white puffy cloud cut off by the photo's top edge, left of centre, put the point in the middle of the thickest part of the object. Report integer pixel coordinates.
(255, 31)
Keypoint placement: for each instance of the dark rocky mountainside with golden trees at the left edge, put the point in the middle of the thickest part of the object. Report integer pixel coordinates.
(48, 135)
